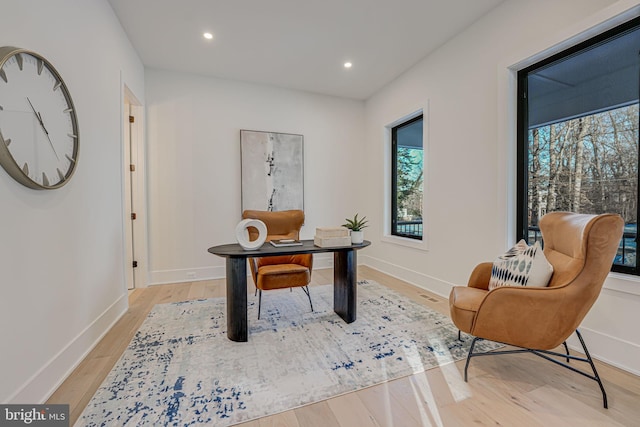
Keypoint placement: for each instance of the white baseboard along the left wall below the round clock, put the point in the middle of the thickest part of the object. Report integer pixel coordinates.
(41, 385)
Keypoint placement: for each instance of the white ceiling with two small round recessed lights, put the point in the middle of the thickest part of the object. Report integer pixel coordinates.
(295, 44)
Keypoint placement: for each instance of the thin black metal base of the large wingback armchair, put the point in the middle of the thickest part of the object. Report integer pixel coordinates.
(546, 354)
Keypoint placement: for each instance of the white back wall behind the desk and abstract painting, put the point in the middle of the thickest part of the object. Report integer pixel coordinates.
(193, 134)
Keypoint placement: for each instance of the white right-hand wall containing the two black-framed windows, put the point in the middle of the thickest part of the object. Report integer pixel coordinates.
(471, 155)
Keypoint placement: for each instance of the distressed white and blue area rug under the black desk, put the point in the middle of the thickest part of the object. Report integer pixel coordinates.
(180, 368)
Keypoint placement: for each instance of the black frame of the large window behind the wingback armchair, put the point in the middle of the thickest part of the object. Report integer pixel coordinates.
(522, 141)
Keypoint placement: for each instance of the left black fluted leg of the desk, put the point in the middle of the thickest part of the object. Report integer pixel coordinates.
(237, 299)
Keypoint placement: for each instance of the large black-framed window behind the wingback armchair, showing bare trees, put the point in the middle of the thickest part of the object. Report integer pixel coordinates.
(578, 135)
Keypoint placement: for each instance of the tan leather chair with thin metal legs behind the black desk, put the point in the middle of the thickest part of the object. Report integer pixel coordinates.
(285, 271)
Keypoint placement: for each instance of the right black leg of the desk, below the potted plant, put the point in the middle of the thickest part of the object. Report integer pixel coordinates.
(344, 284)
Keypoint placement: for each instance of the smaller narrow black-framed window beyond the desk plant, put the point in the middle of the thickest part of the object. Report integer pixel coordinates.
(407, 178)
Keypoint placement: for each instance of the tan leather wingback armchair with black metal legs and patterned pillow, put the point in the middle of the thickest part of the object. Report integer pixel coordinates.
(581, 249)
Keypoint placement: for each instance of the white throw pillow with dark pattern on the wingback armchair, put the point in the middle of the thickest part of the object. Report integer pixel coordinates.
(522, 265)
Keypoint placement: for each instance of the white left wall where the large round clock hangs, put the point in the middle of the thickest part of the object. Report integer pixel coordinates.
(61, 252)
